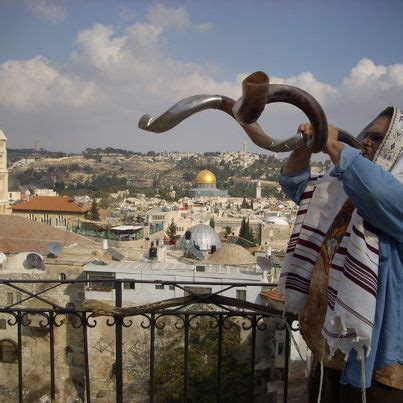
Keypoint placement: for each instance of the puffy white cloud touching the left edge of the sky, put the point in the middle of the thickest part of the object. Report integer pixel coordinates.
(35, 83)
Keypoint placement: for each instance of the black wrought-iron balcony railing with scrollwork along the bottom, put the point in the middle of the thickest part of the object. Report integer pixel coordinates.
(199, 347)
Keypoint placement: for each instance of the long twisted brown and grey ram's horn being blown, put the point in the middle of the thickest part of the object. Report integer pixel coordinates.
(256, 93)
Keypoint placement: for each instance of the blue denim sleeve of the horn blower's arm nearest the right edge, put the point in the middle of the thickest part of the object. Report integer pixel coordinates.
(377, 194)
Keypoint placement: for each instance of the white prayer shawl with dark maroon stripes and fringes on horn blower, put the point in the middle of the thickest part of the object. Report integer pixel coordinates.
(353, 274)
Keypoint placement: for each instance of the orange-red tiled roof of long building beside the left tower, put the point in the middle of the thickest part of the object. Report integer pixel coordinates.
(50, 203)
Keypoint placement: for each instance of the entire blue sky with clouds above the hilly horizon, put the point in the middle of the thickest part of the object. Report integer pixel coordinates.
(80, 73)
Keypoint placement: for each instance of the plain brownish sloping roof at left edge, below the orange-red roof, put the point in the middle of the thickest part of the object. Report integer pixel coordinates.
(18, 234)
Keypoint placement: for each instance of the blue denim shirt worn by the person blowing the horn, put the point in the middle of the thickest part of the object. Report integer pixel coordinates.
(378, 197)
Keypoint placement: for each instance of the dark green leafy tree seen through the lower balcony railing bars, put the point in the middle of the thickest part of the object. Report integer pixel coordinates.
(235, 368)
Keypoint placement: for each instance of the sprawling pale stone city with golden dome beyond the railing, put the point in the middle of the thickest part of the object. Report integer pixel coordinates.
(149, 221)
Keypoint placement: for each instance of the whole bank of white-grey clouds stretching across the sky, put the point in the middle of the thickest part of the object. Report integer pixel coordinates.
(119, 76)
